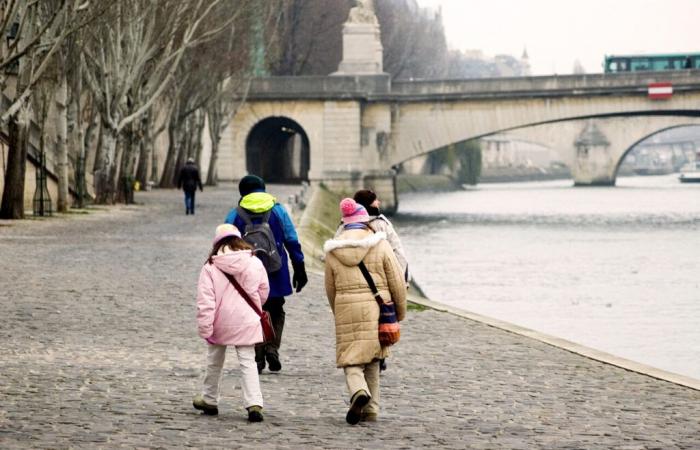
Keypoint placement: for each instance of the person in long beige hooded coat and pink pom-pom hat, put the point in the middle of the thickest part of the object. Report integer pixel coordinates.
(355, 309)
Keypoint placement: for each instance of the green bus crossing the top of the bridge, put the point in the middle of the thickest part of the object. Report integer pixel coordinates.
(645, 63)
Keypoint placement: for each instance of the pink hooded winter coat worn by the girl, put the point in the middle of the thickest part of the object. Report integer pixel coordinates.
(223, 315)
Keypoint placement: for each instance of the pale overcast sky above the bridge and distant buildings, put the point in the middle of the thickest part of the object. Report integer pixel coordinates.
(557, 32)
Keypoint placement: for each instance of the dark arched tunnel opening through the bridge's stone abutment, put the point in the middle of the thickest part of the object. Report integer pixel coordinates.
(277, 149)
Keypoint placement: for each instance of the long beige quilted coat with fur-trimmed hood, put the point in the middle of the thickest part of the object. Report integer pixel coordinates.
(354, 307)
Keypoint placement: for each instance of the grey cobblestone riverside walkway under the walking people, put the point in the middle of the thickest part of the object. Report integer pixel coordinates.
(98, 349)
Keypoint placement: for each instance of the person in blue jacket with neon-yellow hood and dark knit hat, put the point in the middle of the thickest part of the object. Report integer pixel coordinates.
(255, 200)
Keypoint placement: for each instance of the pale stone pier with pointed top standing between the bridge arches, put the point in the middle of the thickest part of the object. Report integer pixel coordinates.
(594, 164)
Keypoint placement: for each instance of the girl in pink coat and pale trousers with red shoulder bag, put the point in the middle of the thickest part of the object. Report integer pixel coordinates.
(225, 318)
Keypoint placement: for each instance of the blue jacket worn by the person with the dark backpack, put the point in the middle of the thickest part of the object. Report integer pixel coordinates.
(285, 237)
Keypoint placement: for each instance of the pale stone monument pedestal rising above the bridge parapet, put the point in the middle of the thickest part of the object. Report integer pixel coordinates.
(362, 45)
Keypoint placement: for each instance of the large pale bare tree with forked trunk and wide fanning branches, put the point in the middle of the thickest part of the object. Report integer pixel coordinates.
(139, 46)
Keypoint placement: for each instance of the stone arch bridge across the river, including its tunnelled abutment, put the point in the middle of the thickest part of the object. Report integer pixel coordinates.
(353, 131)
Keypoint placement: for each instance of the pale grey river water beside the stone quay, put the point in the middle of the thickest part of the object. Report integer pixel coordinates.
(616, 269)
